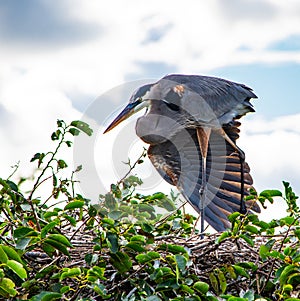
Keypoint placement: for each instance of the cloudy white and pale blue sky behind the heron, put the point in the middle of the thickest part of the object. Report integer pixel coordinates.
(73, 59)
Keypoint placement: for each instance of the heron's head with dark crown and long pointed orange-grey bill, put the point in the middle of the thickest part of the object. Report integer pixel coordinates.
(139, 100)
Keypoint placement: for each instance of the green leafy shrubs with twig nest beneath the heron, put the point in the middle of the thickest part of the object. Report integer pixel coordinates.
(135, 247)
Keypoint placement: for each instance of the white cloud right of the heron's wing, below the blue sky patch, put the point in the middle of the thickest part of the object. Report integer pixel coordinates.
(272, 150)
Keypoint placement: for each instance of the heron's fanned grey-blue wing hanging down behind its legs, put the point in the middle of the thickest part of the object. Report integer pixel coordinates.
(179, 163)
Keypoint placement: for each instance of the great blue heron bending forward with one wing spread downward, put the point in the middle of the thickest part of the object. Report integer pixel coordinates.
(191, 126)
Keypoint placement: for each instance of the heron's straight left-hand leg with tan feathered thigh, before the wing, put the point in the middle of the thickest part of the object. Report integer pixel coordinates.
(203, 135)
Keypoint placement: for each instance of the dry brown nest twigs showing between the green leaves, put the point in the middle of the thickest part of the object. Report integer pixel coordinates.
(205, 255)
